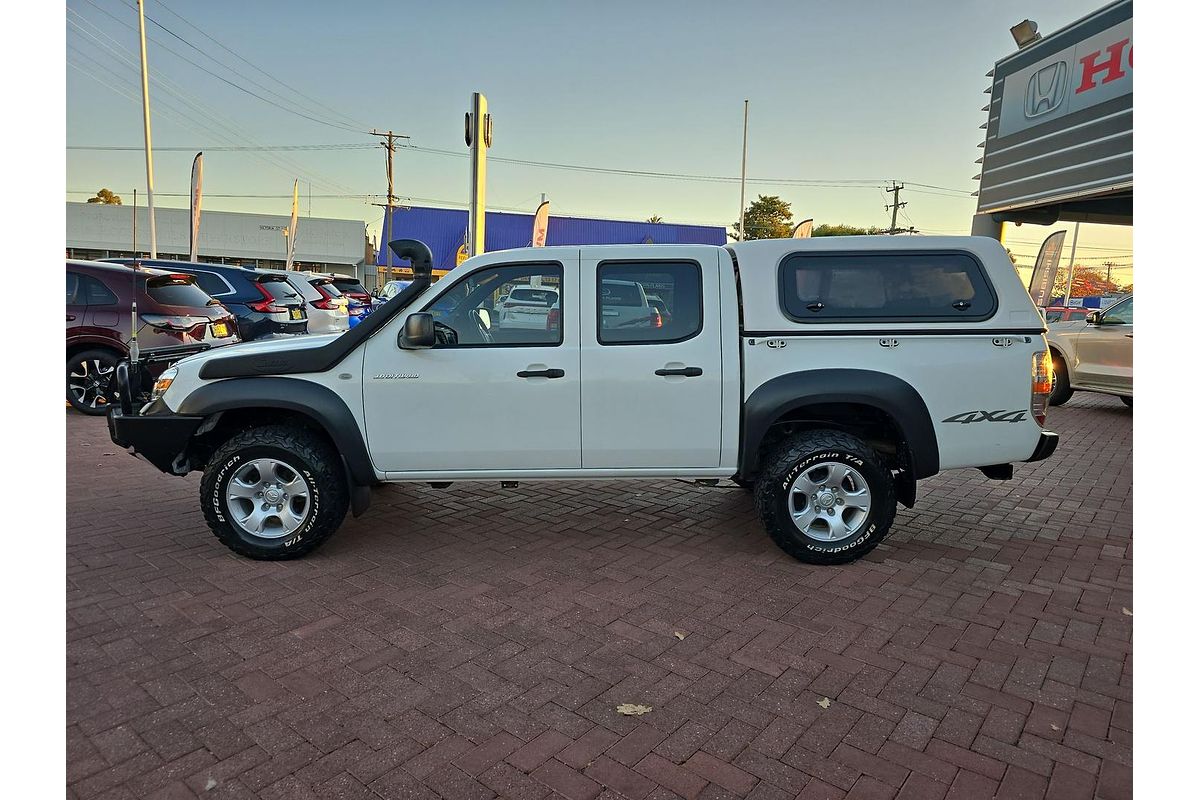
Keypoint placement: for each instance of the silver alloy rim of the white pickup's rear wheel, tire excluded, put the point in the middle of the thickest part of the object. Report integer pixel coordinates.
(830, 502)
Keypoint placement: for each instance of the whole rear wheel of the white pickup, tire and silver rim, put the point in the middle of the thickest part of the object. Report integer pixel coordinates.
(826, 498)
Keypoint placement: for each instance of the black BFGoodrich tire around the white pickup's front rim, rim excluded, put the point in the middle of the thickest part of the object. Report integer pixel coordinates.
(311, 456)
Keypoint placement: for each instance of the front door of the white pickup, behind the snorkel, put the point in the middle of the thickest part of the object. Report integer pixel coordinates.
(461, 405)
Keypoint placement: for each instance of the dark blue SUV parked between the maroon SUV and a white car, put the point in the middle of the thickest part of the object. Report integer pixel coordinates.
(265, 303)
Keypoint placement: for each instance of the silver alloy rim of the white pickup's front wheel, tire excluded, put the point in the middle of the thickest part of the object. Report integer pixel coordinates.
(268, 498)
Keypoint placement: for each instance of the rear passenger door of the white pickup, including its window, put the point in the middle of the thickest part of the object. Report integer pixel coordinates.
(651, 359)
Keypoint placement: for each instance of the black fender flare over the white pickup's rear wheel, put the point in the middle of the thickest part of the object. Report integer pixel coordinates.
(896, 398)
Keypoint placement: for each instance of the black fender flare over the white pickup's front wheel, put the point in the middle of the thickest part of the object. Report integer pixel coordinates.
(317, 402)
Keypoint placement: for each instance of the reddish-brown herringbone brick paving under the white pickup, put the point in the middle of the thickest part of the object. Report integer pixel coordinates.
(475, 642)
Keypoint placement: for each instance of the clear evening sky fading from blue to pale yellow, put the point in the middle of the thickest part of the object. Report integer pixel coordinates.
(849, 95)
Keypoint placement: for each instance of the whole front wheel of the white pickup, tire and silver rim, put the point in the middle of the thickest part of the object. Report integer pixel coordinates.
(275, 492)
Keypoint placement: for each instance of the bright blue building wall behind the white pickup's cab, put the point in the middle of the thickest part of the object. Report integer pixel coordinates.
(445, 231)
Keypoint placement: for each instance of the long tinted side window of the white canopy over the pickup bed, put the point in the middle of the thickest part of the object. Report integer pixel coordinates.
(910, 286)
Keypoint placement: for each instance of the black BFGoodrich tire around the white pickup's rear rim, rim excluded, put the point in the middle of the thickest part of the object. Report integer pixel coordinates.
(789, 460)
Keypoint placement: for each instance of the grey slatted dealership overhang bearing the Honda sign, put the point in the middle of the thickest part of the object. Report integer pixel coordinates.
(1060, 127)
